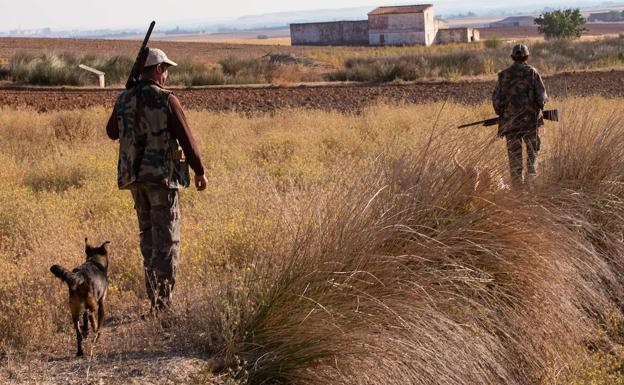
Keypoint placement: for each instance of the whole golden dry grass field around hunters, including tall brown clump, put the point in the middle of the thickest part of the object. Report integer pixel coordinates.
(330, 248)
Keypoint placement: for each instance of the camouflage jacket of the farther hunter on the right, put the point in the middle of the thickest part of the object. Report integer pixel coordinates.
(518, 98)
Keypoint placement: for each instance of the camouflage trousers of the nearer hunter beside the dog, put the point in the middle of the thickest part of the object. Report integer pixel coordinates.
(158, 211)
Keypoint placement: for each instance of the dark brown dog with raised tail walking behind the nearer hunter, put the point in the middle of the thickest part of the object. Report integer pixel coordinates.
(87, 289)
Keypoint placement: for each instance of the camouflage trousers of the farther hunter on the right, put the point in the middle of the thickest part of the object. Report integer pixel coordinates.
(514, 152)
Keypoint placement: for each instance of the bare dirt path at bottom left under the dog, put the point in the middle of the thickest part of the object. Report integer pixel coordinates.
(137, 352)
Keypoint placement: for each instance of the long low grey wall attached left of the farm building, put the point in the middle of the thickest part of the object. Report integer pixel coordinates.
(330, 33)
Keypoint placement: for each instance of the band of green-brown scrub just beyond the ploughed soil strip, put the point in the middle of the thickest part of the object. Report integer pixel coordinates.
(379, 64)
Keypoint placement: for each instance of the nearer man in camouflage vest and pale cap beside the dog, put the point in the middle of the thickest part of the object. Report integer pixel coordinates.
(156, 147)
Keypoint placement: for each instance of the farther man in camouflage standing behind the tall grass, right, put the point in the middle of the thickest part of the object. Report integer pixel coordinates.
(518, 99)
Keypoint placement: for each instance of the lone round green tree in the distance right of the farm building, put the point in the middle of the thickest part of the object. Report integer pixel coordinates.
(561, 24)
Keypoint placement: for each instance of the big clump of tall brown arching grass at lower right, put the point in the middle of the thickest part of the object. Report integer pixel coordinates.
(400, 269)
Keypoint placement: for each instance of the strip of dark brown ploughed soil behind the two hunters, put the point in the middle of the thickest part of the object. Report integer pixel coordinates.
(344, 97)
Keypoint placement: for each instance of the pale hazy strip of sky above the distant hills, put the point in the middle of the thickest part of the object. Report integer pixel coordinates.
(88, 14)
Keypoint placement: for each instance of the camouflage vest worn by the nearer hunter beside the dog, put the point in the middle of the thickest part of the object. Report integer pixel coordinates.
(147, 150)
